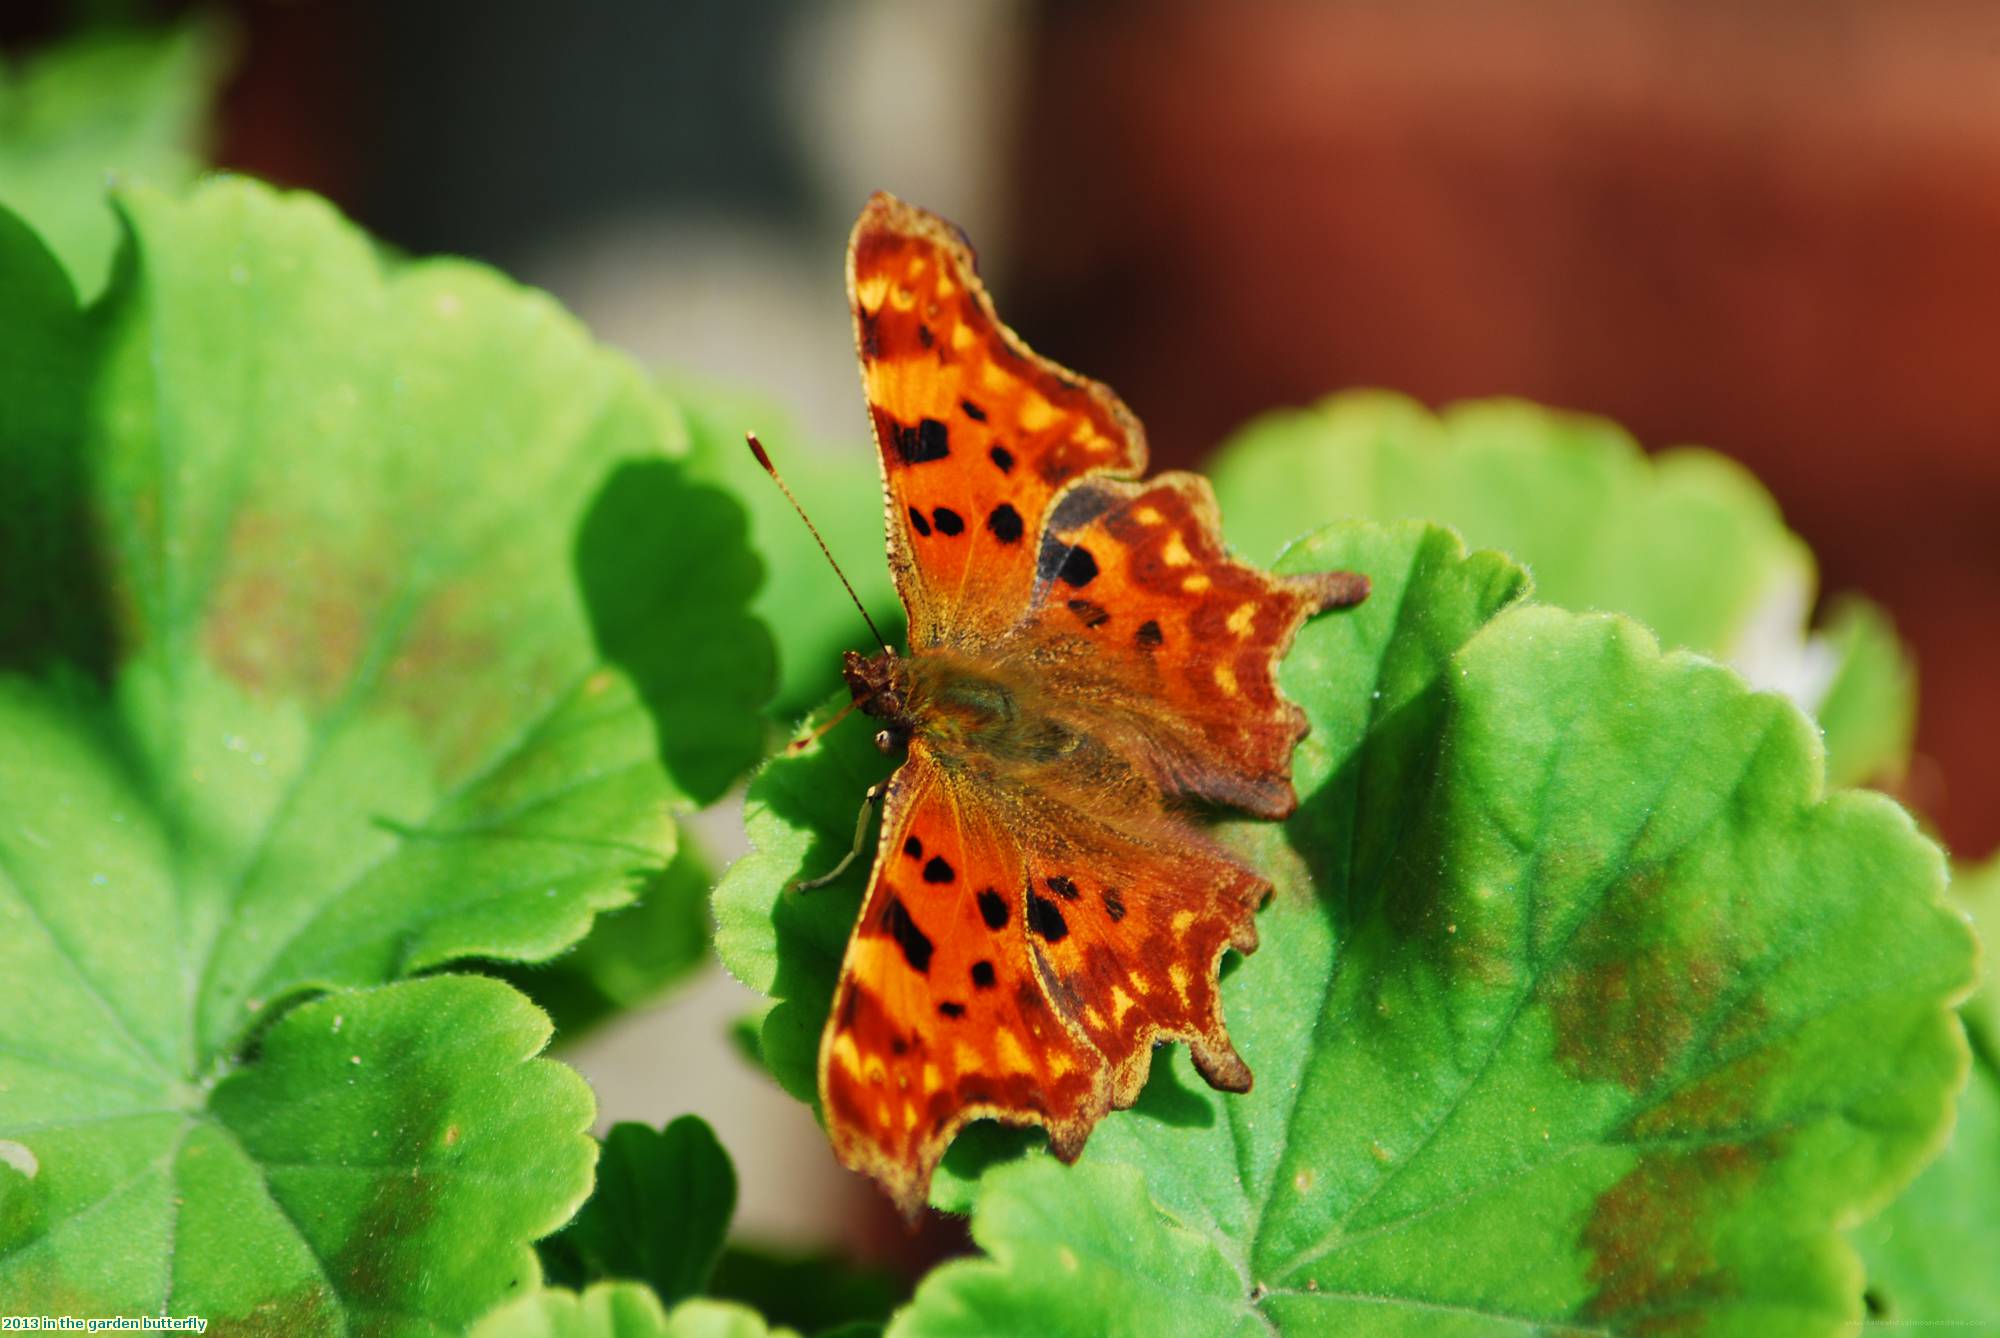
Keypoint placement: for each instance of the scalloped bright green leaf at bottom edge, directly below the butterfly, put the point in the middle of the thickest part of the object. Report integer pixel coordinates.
(1065, 1255)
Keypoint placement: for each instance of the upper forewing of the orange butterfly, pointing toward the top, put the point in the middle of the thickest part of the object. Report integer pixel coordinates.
(977, 433)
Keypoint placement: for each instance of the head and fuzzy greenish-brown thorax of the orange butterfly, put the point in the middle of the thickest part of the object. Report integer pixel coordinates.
(955, 707)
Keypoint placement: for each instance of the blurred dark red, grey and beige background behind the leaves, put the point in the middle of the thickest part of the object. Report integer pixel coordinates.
(1769, 227)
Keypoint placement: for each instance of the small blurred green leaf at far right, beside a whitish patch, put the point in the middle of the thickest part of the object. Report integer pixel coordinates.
(1869, 711)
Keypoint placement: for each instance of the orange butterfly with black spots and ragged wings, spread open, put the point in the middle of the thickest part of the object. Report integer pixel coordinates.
(1087, 671)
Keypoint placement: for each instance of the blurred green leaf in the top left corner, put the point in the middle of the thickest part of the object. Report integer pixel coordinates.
(111, 103)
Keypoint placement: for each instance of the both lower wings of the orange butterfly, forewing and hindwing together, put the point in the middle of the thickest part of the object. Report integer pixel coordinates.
(1023, 945)
